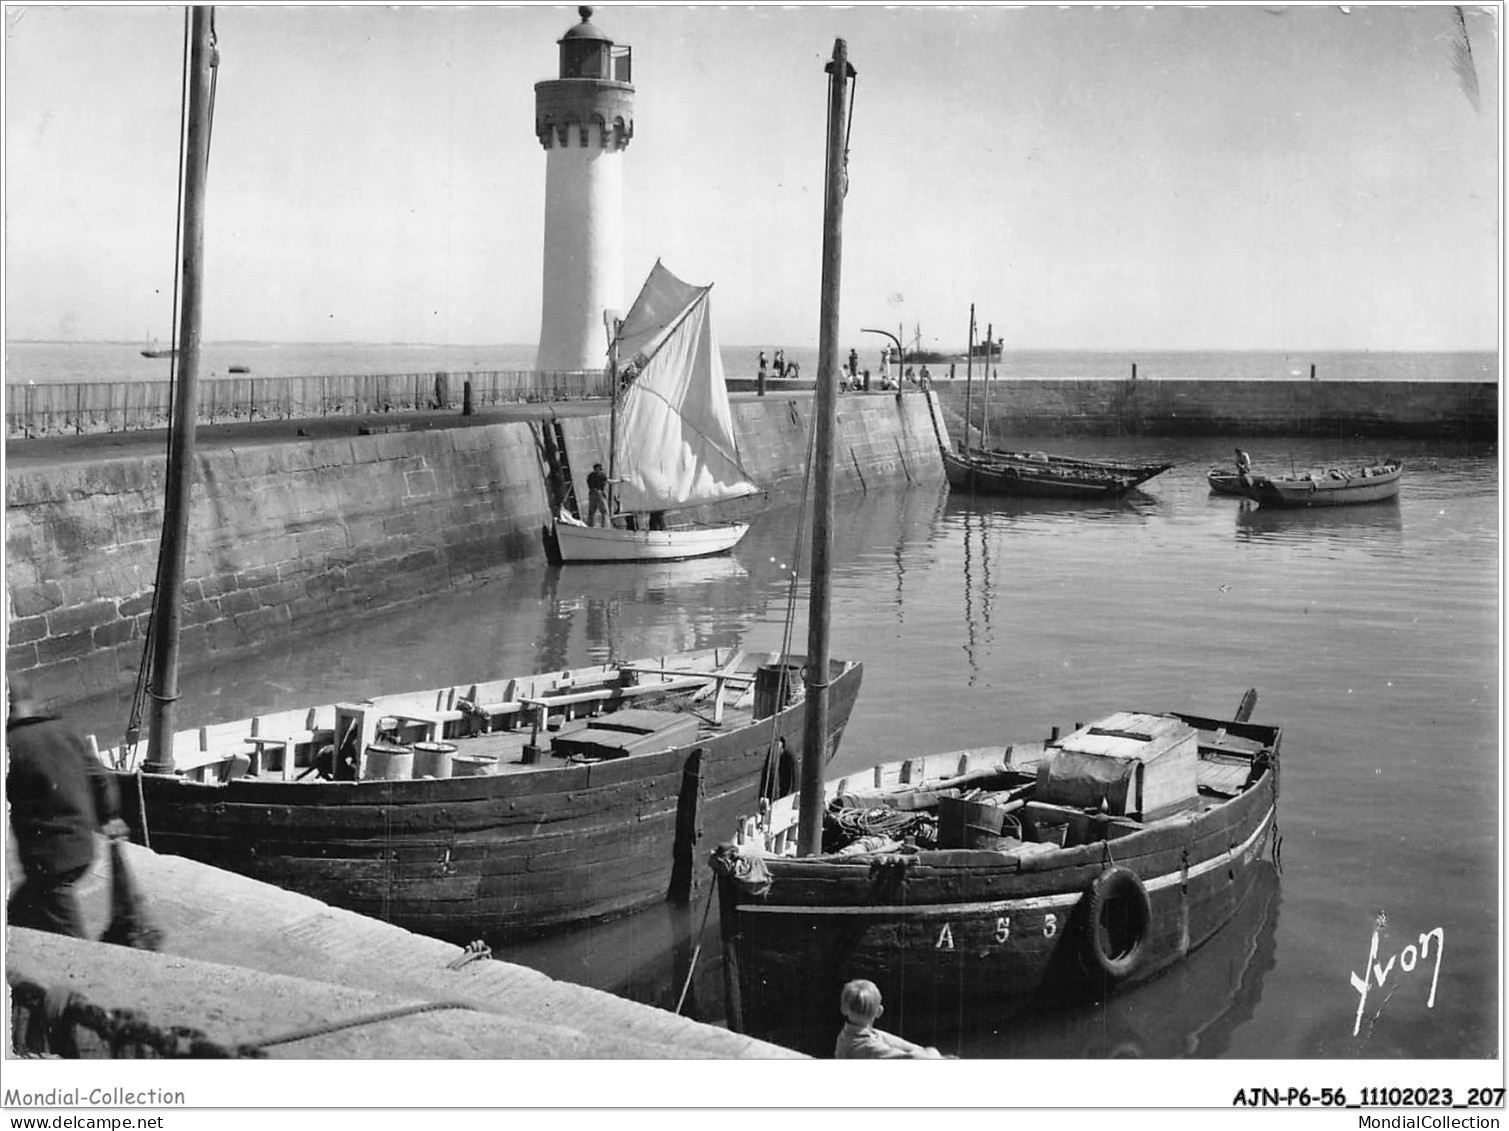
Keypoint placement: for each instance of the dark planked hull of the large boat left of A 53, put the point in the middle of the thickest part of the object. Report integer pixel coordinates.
(494, 857)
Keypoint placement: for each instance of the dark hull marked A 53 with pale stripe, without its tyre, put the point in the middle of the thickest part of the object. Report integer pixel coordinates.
(974, 937)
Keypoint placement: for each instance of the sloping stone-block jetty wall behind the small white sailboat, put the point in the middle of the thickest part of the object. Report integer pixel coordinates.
(292, 539)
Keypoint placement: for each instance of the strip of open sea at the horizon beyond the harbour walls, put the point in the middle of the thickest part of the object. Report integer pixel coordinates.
(46, 363)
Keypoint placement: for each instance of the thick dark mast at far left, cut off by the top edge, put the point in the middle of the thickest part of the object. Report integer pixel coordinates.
(168, 608)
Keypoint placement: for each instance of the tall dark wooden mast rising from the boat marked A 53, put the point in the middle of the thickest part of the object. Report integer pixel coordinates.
(825, 411)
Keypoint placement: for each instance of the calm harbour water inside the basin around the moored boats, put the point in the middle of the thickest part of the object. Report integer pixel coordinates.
(1371, 636)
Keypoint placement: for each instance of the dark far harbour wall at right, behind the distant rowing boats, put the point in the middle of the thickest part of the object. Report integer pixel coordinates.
(1129, 408)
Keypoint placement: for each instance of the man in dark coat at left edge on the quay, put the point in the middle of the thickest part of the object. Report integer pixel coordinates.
(60, 795)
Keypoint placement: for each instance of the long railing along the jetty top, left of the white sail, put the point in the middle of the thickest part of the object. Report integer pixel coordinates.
(78, 408)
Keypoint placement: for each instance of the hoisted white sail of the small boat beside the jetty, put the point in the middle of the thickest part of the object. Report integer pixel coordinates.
(675, 438)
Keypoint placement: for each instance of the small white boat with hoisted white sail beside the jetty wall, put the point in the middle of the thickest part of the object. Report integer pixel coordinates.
(672, 440)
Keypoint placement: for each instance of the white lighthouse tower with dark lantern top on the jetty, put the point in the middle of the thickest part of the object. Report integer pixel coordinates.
(585, 120)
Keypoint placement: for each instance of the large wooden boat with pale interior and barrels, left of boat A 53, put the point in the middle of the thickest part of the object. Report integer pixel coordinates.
(497, 811)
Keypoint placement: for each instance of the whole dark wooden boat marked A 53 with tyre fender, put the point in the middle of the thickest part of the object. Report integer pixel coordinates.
(991, 881)
